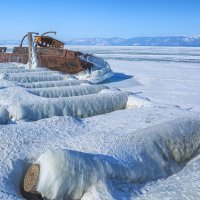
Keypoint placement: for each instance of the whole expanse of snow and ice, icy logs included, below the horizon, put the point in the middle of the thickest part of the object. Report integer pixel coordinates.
(134, 136)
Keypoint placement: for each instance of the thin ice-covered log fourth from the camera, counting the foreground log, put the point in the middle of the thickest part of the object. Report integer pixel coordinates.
(46, 84)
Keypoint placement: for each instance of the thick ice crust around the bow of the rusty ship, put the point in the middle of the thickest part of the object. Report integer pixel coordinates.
(99, 72)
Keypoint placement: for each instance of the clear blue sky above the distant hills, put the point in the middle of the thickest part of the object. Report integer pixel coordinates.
(99, 18)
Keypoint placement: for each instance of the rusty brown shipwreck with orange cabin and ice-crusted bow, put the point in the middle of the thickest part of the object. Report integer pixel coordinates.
(51, 54)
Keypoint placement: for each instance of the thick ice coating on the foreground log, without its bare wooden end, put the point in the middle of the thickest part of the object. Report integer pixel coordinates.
(69, 174)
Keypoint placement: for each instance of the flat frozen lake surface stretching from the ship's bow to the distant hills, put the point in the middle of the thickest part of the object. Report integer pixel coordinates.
(168, 75)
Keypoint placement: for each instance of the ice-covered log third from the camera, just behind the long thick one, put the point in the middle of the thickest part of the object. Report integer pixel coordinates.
(67, 91)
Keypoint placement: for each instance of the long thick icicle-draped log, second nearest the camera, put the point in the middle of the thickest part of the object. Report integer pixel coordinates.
(80, 106)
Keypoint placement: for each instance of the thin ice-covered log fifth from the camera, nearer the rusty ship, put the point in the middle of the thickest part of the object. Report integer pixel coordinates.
(33, 78)
